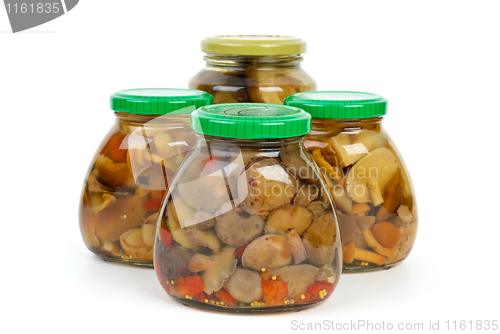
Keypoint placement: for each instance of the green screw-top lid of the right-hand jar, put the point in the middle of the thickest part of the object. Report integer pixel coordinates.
(341, 105)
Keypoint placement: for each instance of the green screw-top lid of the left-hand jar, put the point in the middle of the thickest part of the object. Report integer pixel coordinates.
(159, 101)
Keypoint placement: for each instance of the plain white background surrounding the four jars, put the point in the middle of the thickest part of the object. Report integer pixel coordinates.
(437, 62)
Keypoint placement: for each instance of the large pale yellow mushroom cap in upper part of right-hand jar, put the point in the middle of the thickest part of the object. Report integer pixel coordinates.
(381, 164)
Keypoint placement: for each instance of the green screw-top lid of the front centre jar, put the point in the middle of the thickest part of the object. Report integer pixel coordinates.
(251, 121)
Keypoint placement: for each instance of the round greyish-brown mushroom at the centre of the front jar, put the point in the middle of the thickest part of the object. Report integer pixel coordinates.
(235, 226)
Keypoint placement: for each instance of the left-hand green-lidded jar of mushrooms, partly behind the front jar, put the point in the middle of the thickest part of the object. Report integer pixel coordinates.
(132, 169)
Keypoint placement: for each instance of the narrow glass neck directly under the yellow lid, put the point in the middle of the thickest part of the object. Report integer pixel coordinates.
(244, 61)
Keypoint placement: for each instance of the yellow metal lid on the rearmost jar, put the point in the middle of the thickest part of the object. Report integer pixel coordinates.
(253, 45)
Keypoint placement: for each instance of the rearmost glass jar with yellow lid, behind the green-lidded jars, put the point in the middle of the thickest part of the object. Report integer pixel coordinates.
(249, 68)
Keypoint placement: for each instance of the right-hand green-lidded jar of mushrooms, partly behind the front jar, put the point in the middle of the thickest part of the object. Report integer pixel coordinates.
(366, 175)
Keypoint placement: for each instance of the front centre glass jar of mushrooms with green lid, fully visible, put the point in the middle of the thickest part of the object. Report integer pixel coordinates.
(247, 224)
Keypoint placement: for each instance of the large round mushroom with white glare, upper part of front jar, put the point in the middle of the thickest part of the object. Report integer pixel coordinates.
(265, 186)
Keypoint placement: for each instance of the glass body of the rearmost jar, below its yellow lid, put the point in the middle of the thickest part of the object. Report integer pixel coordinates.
(262, 79)
